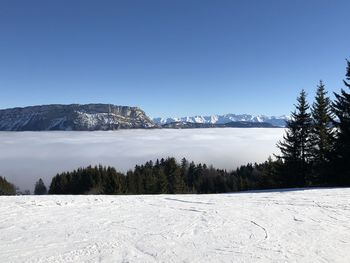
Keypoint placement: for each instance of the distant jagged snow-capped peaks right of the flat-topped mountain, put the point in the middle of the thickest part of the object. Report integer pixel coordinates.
(279, 121)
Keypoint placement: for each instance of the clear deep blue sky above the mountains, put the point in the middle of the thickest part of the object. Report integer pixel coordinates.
(172, 57)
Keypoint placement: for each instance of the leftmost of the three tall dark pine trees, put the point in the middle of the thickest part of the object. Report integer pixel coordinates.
(296, 144)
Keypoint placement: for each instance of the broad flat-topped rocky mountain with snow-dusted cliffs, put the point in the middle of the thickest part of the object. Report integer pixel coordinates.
(86, 117)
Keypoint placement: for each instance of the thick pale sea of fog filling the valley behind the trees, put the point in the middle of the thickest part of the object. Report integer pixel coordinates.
(27, 156)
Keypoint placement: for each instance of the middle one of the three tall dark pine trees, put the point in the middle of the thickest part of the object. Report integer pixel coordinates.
(321, 135)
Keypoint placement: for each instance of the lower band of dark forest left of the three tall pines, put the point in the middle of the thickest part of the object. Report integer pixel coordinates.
(164, 176)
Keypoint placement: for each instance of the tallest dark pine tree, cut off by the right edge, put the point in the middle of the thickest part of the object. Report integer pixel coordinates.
(341, 108)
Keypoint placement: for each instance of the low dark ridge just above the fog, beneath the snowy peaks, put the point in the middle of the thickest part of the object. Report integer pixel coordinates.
(232, 124)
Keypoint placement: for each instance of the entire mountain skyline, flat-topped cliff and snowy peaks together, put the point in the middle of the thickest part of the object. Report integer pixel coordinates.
(92, 117)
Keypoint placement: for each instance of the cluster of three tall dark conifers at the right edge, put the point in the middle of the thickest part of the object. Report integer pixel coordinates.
(315, 151)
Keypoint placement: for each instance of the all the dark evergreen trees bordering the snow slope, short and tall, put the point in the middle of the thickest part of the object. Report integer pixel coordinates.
(315, 151)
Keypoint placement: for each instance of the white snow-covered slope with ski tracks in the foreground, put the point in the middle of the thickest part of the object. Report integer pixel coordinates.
(287, 226)
